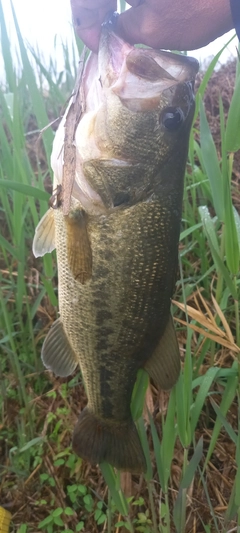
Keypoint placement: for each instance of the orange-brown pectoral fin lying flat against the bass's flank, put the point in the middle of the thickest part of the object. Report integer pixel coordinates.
(78, 246)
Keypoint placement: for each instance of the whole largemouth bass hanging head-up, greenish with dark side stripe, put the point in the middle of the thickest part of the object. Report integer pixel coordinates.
(117, 246)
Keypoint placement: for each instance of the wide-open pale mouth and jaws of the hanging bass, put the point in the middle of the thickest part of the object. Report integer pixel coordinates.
(136, 75)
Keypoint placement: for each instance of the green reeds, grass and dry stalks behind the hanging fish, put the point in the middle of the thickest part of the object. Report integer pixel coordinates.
(191, 436)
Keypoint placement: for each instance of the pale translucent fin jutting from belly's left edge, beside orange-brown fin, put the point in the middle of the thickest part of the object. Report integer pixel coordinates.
(44, 238)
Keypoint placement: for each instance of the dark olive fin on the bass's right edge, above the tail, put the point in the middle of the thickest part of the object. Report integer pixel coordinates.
(164, 364)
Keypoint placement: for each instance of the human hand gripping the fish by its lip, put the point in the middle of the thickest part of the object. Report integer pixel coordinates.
(169, 24)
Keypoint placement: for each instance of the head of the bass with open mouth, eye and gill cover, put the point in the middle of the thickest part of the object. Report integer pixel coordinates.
(139, 106)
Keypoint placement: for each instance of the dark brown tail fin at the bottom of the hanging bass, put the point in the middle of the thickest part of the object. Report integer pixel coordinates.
(97, 440)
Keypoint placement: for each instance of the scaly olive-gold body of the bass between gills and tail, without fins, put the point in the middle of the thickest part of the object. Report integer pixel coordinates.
(129, 312)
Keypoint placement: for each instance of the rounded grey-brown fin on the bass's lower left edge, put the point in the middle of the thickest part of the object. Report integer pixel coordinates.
(57, 353)
